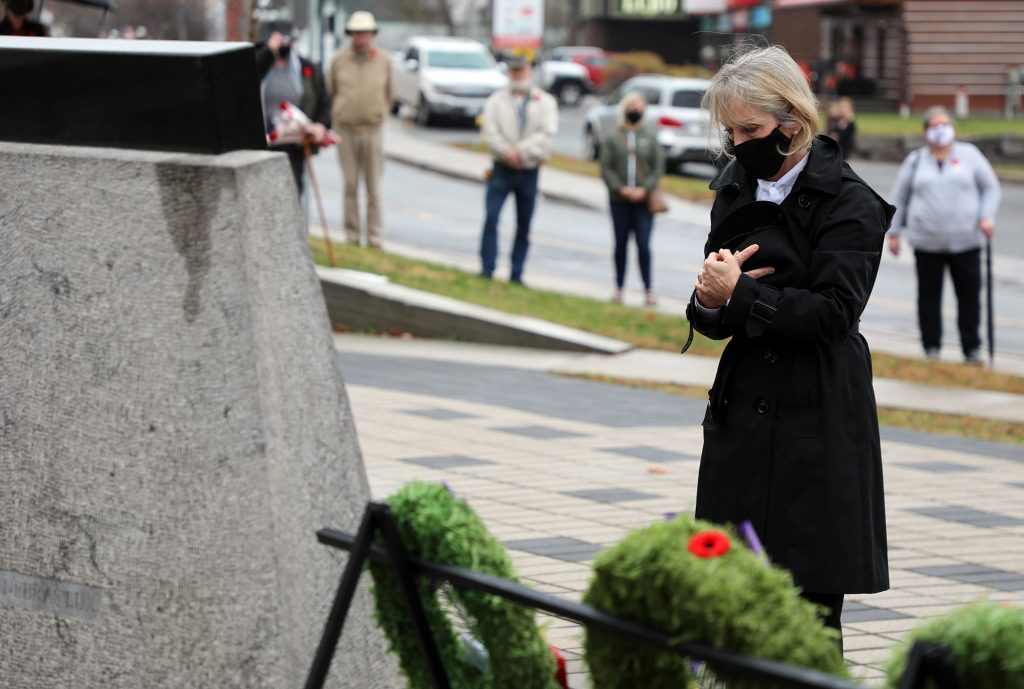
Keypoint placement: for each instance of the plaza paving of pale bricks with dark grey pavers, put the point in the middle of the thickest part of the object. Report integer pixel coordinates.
(562, 468)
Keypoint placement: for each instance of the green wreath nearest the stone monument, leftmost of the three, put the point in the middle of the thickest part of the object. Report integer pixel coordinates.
(437, 527)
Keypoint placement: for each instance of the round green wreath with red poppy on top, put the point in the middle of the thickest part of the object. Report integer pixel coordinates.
(700, 584)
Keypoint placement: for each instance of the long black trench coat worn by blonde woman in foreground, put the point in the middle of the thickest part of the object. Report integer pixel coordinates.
(791, 433)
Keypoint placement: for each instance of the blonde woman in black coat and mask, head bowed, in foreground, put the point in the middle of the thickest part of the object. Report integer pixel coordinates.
(791, 433)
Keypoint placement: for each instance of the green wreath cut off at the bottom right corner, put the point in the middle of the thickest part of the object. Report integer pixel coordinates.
(987, 641)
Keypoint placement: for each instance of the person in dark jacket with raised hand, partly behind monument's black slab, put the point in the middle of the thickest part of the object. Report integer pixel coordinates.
(287, 77)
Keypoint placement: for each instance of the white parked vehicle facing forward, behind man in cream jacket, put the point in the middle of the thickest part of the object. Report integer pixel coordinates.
(445, 77)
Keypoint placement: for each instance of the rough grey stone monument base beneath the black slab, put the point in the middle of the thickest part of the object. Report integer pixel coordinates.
(174, 428)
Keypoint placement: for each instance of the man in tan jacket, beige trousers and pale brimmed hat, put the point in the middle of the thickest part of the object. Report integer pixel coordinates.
(361, 99)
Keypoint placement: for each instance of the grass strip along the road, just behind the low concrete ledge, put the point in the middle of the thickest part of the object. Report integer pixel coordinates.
(642, 328)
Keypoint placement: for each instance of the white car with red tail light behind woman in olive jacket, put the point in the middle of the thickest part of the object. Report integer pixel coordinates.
(673, 111)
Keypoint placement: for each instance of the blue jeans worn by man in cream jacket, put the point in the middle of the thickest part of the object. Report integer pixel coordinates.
(524, 185)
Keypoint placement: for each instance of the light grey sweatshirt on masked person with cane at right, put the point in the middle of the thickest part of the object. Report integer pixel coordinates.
(947, 203)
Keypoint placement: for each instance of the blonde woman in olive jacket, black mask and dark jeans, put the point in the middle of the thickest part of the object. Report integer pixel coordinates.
(632, 164)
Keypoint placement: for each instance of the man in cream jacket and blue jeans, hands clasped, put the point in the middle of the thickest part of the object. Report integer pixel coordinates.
(520, 126)
